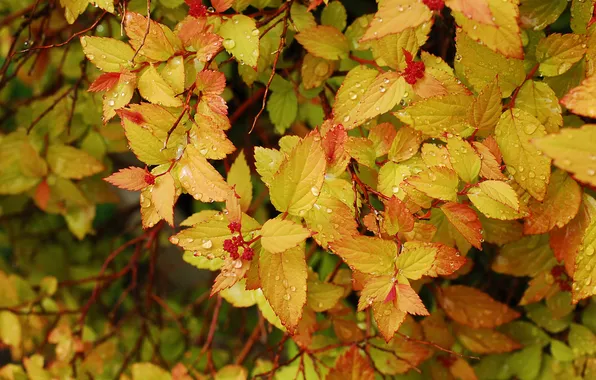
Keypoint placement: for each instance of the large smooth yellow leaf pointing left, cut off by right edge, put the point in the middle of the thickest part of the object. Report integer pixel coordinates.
(572, 150)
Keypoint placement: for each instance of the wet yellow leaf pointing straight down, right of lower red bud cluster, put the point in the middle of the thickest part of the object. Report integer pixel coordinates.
(283, 280)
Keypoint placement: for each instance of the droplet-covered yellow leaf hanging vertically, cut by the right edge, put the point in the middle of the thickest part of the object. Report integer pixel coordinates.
(584, 273)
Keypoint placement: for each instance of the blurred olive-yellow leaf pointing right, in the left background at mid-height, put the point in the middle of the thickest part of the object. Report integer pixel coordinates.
(69, 162)
